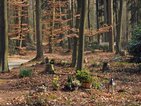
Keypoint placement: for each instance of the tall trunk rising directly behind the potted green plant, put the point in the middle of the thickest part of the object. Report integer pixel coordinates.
(81, 36)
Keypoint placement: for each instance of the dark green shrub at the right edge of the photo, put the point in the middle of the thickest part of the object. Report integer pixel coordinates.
(134, 46)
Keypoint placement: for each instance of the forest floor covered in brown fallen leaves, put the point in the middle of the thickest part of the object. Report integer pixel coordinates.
(127, 76)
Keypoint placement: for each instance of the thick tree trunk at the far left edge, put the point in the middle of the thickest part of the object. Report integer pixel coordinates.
(3, 36)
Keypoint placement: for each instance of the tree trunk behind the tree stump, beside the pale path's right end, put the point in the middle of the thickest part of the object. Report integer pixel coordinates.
(39, 54)
